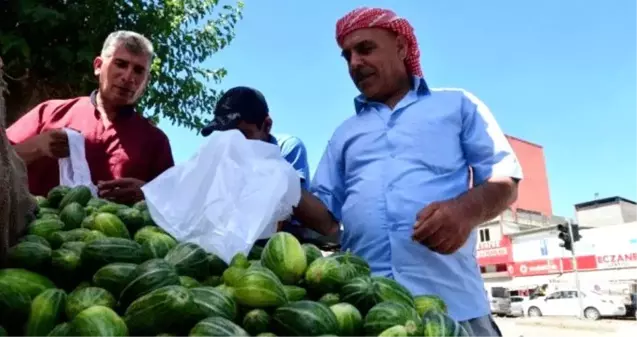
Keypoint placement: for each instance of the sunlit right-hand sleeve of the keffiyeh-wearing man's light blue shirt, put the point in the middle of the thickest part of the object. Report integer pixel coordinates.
(485, 146)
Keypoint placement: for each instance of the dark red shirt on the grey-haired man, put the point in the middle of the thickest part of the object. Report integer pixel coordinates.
(129, 147)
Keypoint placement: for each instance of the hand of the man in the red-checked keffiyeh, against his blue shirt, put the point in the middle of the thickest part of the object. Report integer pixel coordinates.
(443, 227)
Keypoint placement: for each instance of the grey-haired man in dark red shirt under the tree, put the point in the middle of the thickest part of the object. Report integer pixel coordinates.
(123, 149)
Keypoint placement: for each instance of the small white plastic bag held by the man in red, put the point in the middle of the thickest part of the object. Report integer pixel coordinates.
(74, 170)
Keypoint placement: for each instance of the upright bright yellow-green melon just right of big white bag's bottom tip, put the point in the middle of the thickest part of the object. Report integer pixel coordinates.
(284, 255)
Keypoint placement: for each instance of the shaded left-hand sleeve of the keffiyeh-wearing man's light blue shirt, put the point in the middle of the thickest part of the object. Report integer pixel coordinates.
(327, 184)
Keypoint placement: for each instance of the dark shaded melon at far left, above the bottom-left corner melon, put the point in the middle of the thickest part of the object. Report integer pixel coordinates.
(29, 255)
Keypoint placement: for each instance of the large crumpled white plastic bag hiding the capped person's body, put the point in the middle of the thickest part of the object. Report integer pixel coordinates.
(232, 192)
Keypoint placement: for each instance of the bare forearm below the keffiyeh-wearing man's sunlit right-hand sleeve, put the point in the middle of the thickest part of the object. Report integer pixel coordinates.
(488, 200)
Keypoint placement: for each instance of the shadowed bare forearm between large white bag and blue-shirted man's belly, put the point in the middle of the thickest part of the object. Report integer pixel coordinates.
(312, 213)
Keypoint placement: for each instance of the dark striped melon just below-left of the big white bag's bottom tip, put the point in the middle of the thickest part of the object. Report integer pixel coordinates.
(189, 259)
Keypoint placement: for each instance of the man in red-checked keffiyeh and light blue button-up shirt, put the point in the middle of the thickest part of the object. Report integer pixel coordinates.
(397, 173)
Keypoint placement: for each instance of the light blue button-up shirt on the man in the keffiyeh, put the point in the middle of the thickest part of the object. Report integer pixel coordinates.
(382, 166)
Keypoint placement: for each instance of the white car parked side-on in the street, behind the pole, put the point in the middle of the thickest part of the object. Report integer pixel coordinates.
(565, 303)
